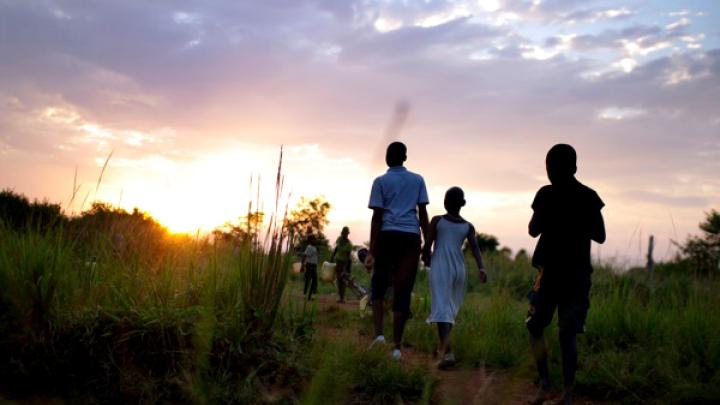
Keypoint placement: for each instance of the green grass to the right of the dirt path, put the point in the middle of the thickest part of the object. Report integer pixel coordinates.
(647, 339)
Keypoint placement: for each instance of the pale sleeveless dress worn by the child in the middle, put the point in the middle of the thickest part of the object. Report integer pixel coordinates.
(447, 271)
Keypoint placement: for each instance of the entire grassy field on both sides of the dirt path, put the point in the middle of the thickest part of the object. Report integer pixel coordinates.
(204, 323)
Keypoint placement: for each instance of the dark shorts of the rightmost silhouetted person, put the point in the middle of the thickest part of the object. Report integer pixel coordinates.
(571, 298)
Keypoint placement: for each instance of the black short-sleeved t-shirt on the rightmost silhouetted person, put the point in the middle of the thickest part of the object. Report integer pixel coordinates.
(566, 216)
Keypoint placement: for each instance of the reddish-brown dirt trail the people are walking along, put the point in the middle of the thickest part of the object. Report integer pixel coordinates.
(461, 386)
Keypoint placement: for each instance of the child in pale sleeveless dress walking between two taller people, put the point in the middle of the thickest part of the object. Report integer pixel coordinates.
(447, 268)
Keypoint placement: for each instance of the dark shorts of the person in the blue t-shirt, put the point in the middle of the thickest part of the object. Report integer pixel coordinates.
(398, 255)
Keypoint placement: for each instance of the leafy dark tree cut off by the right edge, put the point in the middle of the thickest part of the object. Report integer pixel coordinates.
(703, 252)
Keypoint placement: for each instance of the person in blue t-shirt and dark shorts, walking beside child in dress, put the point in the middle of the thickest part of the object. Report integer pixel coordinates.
(397, 198)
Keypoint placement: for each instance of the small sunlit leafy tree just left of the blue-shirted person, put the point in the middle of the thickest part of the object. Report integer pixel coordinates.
(308, 217)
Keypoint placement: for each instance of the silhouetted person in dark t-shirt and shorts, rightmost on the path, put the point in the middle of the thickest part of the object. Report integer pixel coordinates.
(566, 217)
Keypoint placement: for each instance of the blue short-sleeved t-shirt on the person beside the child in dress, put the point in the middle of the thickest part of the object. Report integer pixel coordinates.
(399, 192)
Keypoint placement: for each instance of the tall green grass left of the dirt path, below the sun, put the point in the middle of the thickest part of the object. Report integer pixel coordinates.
(200, 322)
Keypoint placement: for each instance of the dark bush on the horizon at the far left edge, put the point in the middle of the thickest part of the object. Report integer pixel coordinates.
(17, 212)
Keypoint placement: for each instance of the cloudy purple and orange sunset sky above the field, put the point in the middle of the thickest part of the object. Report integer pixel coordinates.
(195, 97)
